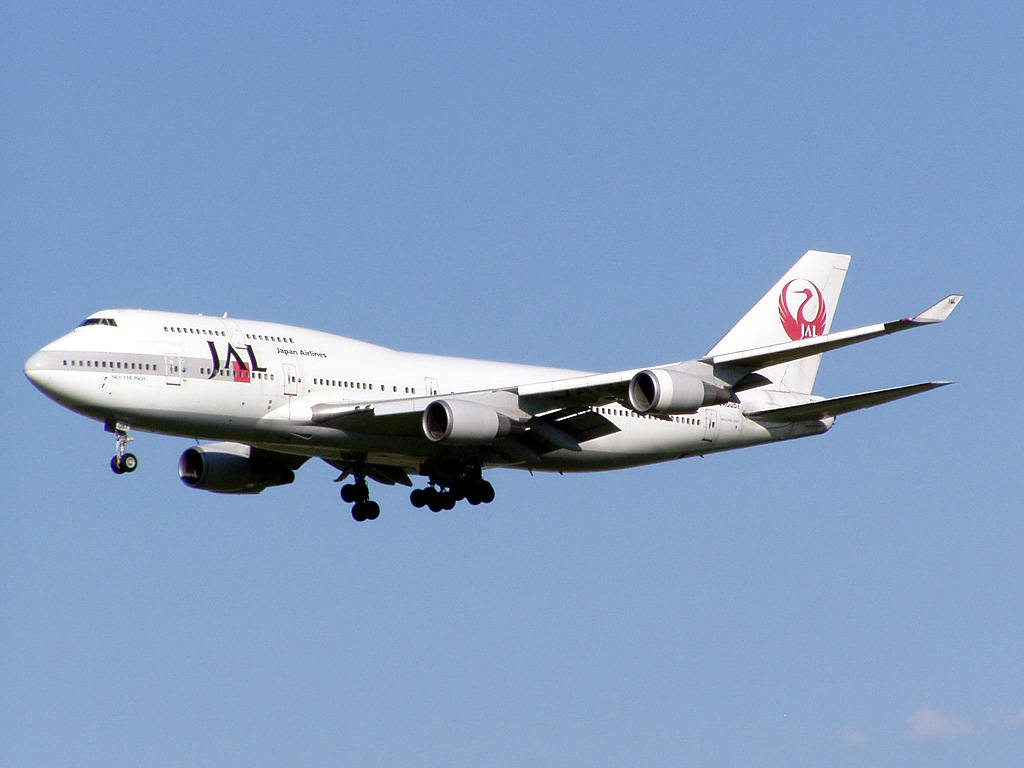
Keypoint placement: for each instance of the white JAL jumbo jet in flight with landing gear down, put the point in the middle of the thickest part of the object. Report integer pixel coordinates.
(271, 397)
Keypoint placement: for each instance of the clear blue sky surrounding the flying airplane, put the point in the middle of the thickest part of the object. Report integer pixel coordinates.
(588, 186)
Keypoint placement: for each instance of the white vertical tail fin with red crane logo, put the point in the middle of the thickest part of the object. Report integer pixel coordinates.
(800, 306)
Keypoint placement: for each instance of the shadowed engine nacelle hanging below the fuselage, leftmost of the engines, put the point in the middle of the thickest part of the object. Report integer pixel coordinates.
(232, 468)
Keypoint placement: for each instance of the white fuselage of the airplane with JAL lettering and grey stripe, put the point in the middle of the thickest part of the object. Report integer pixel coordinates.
(255, 382)
